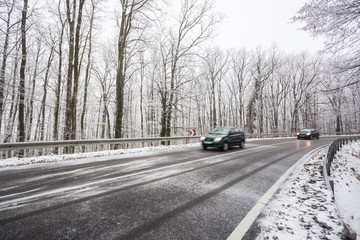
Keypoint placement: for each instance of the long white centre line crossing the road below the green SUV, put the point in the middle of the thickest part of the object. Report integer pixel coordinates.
(121, 177)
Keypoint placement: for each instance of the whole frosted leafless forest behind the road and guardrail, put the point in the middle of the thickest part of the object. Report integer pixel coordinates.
(92, 69)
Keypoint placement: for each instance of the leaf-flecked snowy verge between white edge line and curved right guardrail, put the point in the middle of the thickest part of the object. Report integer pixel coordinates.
(303, 208)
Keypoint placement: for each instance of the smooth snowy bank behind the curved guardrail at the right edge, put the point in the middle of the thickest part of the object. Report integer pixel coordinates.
(345, 171)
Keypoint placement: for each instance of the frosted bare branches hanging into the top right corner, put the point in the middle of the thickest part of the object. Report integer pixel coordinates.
(337, 20)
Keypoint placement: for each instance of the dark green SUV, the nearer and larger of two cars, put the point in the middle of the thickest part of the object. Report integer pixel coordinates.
(224, 137)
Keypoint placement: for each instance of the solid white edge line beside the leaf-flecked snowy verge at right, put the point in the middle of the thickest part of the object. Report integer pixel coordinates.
(249, 219)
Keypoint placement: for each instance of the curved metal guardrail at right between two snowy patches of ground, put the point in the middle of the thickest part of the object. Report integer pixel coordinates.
(332, 149)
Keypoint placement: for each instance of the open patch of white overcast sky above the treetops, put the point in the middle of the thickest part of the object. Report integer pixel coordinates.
(253, 23)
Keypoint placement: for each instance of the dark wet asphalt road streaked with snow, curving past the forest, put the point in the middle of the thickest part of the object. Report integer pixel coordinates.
(184, 193)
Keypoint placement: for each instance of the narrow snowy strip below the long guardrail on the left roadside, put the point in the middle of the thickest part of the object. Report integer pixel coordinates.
(9, 162)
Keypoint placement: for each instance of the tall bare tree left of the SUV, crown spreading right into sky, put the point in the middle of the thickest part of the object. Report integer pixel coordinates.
(193, 26)
